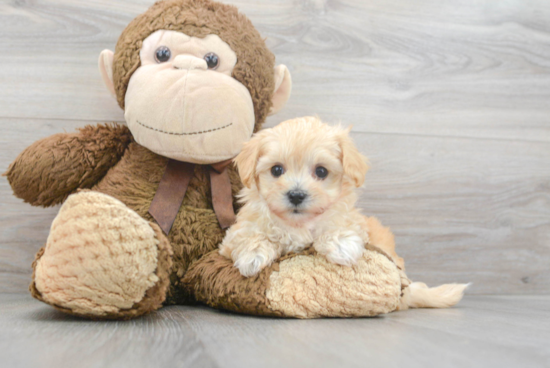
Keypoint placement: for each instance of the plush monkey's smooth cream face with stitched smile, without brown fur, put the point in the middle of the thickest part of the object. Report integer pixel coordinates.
(183, 103)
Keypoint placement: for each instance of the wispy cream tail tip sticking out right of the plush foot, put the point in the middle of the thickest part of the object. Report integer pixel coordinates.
(419, 295)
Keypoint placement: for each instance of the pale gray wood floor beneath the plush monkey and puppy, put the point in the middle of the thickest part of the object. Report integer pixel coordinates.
(483, 331)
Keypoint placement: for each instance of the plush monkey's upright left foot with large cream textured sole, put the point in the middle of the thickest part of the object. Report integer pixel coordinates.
(102, 260)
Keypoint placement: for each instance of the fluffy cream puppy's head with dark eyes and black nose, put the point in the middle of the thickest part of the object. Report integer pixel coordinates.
(301, 168)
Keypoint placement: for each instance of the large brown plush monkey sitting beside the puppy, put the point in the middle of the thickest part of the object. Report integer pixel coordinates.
(195, 80)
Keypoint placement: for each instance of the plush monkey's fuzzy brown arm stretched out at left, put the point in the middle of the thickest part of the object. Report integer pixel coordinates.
(50, 169)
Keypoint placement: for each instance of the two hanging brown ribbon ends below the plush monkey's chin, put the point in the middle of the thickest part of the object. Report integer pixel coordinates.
(172, 188)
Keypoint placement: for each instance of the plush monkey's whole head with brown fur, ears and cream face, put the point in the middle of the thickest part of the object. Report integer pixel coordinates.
(197, 87)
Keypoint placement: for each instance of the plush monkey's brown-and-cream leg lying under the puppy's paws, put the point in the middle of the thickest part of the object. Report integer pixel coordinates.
(303, 285)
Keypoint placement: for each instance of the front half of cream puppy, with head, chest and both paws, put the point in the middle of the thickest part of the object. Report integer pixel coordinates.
(300, 179)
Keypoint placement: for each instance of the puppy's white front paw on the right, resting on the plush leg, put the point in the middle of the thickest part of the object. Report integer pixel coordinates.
(344, 248)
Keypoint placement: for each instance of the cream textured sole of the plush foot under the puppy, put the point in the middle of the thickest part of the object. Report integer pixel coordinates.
(371, 289)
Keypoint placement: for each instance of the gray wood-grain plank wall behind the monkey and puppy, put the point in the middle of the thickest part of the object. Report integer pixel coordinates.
(449, 99)
